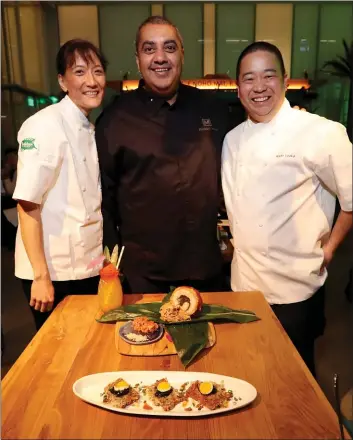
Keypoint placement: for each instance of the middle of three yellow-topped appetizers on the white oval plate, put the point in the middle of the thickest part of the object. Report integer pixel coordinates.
(161, 393)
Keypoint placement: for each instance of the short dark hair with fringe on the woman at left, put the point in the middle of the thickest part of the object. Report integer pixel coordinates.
(67, 54)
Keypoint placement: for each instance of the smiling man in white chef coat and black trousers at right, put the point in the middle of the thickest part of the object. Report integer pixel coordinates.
(281, 172)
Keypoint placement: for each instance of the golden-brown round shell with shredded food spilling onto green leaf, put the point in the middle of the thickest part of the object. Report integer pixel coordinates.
(184, 303)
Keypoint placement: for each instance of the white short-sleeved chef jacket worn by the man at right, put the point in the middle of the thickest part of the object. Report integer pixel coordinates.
(279, 181)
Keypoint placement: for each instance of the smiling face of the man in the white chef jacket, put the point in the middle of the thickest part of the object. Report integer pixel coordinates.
(262, 85)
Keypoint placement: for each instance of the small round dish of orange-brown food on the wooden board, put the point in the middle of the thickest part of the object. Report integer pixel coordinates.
(141, 331)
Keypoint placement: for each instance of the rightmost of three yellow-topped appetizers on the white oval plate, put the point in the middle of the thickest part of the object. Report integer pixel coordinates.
(209, 394)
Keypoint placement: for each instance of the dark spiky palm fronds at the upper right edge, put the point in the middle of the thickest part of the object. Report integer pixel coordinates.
(343, 67)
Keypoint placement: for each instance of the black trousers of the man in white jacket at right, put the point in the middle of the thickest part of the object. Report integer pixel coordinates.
(304, 322)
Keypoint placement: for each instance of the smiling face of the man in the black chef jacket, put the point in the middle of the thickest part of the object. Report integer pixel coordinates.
(160, 58)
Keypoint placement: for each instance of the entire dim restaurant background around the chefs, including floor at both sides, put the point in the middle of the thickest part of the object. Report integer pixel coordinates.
(308, 34)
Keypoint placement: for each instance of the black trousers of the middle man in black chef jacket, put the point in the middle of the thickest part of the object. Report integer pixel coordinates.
(140, 284)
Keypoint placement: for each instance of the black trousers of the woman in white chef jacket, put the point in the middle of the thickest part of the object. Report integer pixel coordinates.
(62, 289)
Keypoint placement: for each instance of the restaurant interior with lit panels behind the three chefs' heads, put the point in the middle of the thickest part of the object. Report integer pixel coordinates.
(308, 34)
